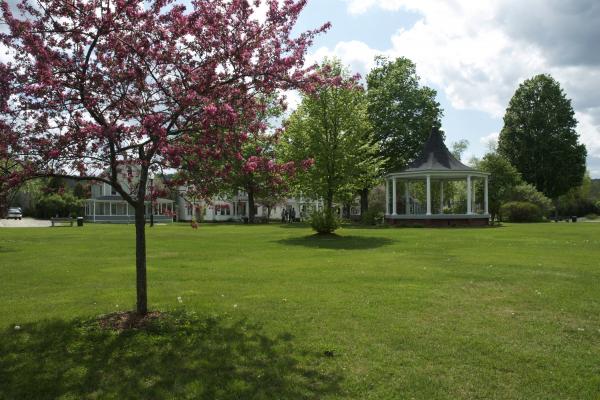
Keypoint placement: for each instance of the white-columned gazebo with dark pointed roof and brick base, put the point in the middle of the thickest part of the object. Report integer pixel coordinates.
(437, 190)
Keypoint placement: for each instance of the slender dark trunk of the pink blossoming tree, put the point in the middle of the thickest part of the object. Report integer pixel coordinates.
(140, 258)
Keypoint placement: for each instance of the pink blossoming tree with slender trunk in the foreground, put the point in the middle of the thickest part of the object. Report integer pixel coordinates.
(99, 88)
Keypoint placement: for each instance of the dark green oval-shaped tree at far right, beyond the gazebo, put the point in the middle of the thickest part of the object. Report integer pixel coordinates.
(539, 137)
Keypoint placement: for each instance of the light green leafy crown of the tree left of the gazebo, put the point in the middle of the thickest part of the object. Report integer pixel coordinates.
(332, 128)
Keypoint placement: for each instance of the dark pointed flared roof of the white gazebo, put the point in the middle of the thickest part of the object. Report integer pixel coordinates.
(436, 157)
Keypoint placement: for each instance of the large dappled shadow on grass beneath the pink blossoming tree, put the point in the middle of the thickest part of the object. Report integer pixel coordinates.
(180, 356)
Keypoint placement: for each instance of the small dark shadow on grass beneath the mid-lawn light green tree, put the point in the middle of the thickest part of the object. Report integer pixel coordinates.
(337, 242)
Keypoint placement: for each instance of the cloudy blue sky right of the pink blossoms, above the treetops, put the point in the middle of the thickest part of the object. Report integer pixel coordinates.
(474, 55)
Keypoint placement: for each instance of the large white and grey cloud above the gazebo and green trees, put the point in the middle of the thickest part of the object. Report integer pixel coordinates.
(478, 52)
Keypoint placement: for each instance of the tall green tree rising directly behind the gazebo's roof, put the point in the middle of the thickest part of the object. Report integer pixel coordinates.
(401, 111)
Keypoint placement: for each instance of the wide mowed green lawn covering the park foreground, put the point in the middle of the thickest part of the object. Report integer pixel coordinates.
(272, 312)
